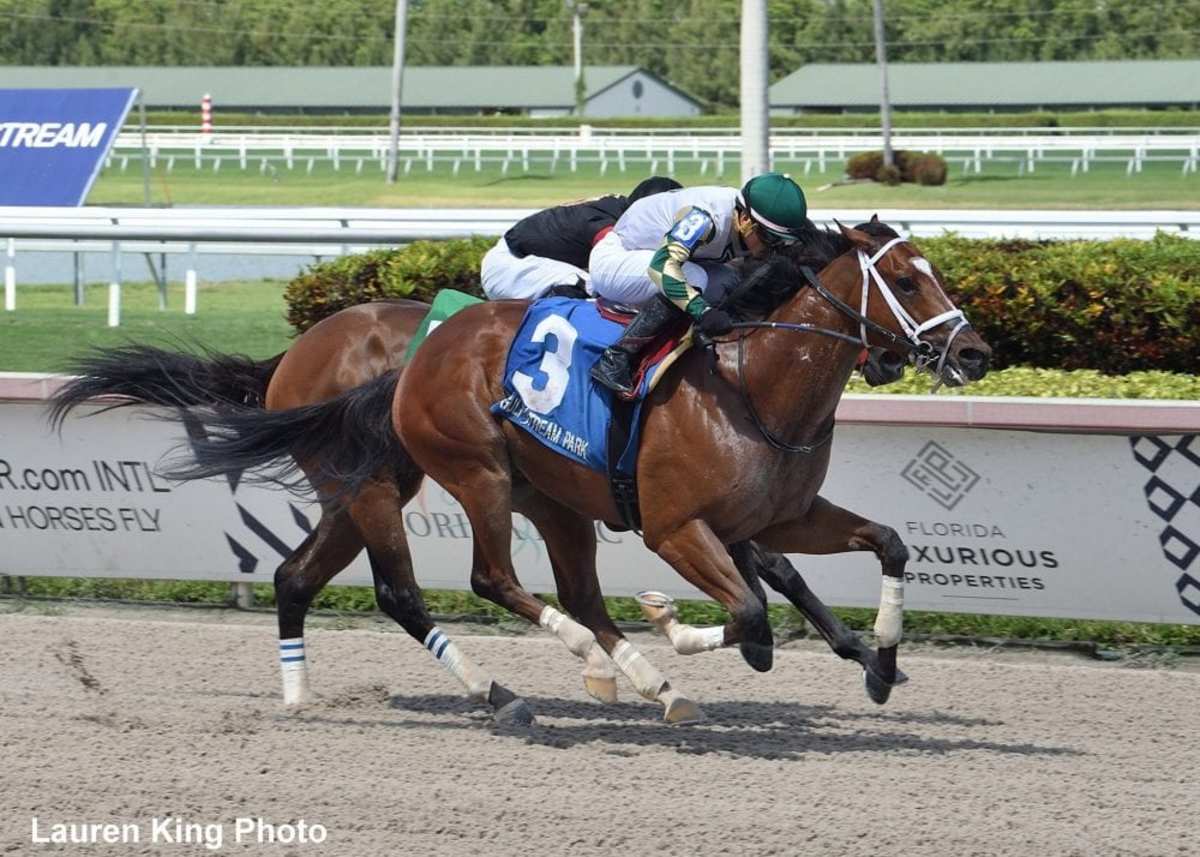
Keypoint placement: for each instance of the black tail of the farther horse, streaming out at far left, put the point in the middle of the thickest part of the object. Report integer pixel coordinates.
(145, 375)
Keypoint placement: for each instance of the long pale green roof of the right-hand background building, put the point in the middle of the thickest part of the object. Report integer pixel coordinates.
(1000, 87)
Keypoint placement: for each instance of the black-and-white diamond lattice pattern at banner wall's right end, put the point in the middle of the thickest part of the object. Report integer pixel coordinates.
(1173, 494)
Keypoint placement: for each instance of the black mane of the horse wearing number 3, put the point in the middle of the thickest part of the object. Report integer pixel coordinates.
(776, 278)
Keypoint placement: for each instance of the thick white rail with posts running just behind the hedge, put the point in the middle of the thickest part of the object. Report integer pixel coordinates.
(334, 232)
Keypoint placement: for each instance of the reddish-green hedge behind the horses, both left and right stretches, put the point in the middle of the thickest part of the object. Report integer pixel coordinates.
(1115, 307)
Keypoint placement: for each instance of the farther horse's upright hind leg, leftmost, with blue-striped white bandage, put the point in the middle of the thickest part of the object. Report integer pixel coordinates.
(323, 554)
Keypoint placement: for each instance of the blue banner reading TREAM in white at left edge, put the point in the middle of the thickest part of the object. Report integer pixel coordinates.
(55, 141)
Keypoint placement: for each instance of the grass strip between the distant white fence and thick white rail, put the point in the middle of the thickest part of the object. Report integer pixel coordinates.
(999, 187)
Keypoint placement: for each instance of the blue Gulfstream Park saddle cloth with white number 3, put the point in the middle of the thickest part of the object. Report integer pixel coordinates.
(549, 392)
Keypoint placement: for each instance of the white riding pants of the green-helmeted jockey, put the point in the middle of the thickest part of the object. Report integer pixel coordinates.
(622, 275)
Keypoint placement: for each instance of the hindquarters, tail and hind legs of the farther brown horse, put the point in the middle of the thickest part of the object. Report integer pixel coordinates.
(345, 351)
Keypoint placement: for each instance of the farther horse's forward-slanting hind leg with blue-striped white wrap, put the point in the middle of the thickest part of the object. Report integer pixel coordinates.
(377, 514)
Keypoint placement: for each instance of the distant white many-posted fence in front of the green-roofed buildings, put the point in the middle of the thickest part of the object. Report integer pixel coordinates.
(712, 151)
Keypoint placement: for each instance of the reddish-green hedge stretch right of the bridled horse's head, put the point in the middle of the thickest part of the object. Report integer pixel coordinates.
(1115, 307)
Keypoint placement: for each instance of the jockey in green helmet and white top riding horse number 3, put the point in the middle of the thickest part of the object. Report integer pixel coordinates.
(689, 232)
